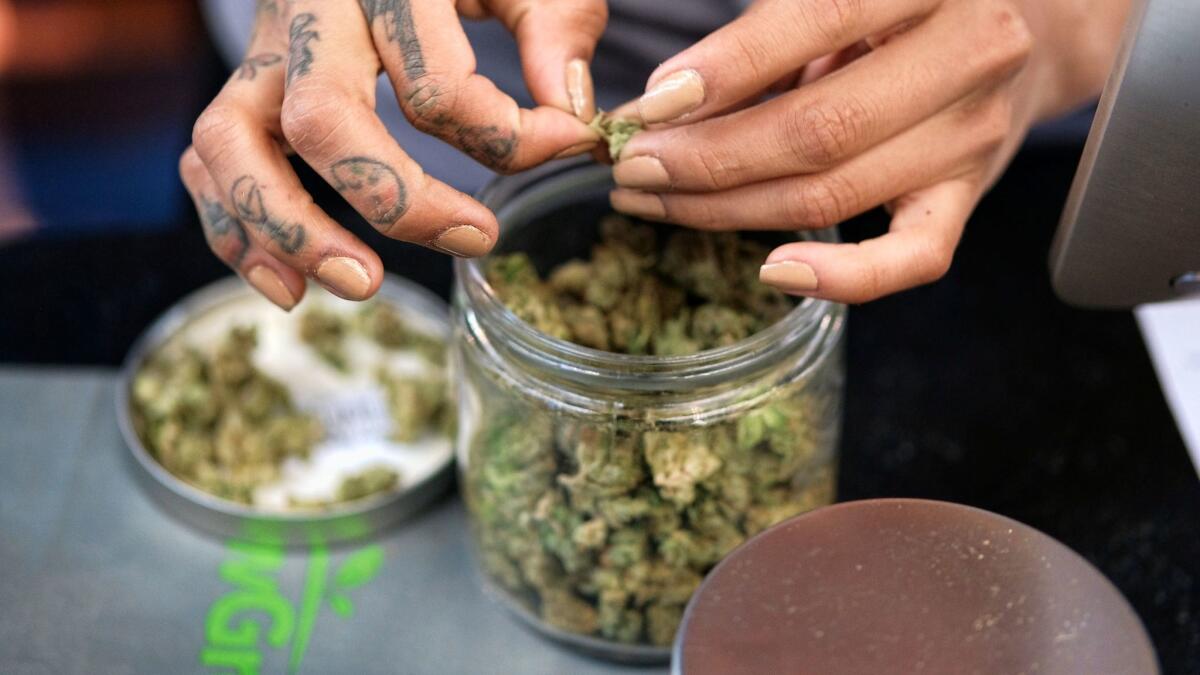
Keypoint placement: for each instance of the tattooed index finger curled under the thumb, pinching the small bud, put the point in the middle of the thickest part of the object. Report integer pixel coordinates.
(433, 68)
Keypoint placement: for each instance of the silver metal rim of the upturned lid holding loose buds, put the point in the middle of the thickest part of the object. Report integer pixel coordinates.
(226, 518)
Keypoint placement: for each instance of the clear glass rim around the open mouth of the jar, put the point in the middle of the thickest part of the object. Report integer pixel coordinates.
(813, 321)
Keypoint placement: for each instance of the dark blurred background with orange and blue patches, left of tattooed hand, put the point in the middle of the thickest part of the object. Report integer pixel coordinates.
(97, 104)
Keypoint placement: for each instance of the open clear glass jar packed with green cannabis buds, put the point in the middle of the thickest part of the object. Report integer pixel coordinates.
(602, 487)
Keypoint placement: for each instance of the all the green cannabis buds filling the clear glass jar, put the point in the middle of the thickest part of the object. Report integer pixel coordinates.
(607, 527)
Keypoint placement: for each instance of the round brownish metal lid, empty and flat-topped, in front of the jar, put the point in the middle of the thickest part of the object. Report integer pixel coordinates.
(909, 587)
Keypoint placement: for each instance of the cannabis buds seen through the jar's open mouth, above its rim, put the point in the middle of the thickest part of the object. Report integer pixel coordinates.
(641, 294)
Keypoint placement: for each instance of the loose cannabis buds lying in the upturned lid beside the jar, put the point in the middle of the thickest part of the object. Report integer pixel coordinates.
(225, 427)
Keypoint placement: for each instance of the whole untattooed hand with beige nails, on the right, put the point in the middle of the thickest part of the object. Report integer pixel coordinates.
(803, 114)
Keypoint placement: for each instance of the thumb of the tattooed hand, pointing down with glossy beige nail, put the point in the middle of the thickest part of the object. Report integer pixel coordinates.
(556, 41)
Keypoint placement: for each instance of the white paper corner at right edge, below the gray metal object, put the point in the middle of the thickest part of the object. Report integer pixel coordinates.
(1173, 336)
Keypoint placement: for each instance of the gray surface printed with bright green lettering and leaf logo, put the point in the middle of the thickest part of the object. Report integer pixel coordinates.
(94, 578)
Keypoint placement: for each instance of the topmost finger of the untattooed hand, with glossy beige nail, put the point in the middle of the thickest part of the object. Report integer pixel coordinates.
(770, 41)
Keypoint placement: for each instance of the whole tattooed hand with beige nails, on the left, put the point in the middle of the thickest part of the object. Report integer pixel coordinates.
(308, 85)
